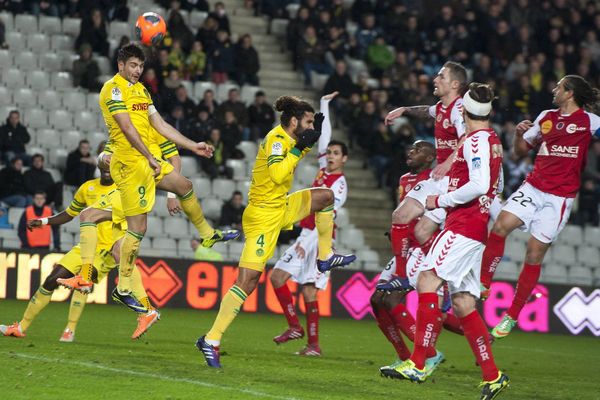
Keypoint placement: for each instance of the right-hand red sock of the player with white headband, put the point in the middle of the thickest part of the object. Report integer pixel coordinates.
(478, 338)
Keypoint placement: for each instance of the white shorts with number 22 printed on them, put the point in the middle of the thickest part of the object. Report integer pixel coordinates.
(544, 215)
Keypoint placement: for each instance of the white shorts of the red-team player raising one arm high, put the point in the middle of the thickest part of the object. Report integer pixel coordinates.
(303, 270)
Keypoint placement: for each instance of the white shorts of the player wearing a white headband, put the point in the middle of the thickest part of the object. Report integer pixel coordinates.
(457, 260)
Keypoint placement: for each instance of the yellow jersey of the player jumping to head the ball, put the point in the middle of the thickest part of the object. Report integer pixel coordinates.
(120, 96)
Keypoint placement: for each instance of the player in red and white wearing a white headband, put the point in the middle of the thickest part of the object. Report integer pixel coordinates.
(455, 257)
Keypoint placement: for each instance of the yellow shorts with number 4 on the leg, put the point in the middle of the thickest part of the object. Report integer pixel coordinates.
(262, 226)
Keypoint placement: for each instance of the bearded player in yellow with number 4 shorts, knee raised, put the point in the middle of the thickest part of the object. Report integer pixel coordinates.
(271, 209)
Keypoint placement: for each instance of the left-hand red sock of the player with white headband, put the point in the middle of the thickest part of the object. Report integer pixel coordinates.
(429, 324)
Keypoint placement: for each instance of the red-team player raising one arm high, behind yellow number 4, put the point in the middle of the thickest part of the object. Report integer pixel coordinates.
(299, 262)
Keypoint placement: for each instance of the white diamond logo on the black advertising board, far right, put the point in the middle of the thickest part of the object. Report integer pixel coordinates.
(578, 311)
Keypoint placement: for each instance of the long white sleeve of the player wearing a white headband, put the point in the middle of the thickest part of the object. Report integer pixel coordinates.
(479, 173)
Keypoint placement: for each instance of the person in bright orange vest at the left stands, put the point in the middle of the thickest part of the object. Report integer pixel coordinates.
(38, 238)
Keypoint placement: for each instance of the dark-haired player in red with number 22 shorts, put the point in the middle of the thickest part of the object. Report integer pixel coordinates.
(543, 203)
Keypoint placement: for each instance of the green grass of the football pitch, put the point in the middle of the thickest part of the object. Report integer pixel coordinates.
(104, 363)
